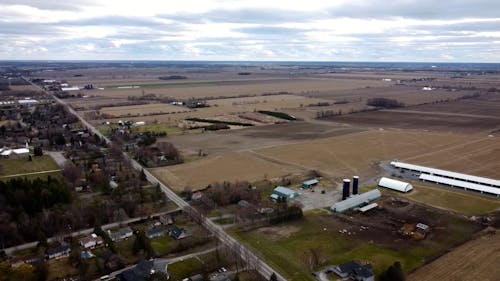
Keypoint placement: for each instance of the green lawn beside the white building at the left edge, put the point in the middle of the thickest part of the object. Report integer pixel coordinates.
(23, 166)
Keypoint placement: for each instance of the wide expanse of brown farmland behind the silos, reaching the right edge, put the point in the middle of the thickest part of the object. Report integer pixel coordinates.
(349, 153)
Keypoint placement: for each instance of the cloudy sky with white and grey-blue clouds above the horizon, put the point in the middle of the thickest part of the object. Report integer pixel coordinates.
(317, 30)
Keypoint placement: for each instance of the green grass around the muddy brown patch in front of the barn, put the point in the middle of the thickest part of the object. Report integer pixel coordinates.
(287, 253)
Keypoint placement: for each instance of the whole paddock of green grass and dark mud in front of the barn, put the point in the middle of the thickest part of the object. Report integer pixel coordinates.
(340, 238)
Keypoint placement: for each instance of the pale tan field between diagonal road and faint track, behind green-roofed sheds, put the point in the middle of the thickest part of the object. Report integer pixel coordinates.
(237, 166)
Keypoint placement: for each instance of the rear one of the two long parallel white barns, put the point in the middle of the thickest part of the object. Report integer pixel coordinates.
(447, 174)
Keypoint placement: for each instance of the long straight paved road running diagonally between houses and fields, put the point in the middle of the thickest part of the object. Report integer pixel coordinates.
(253, 260)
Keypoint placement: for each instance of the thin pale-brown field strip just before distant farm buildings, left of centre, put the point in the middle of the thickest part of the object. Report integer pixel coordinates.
(143, 109)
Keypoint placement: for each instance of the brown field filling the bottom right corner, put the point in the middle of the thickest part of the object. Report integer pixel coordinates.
(474, 260)
